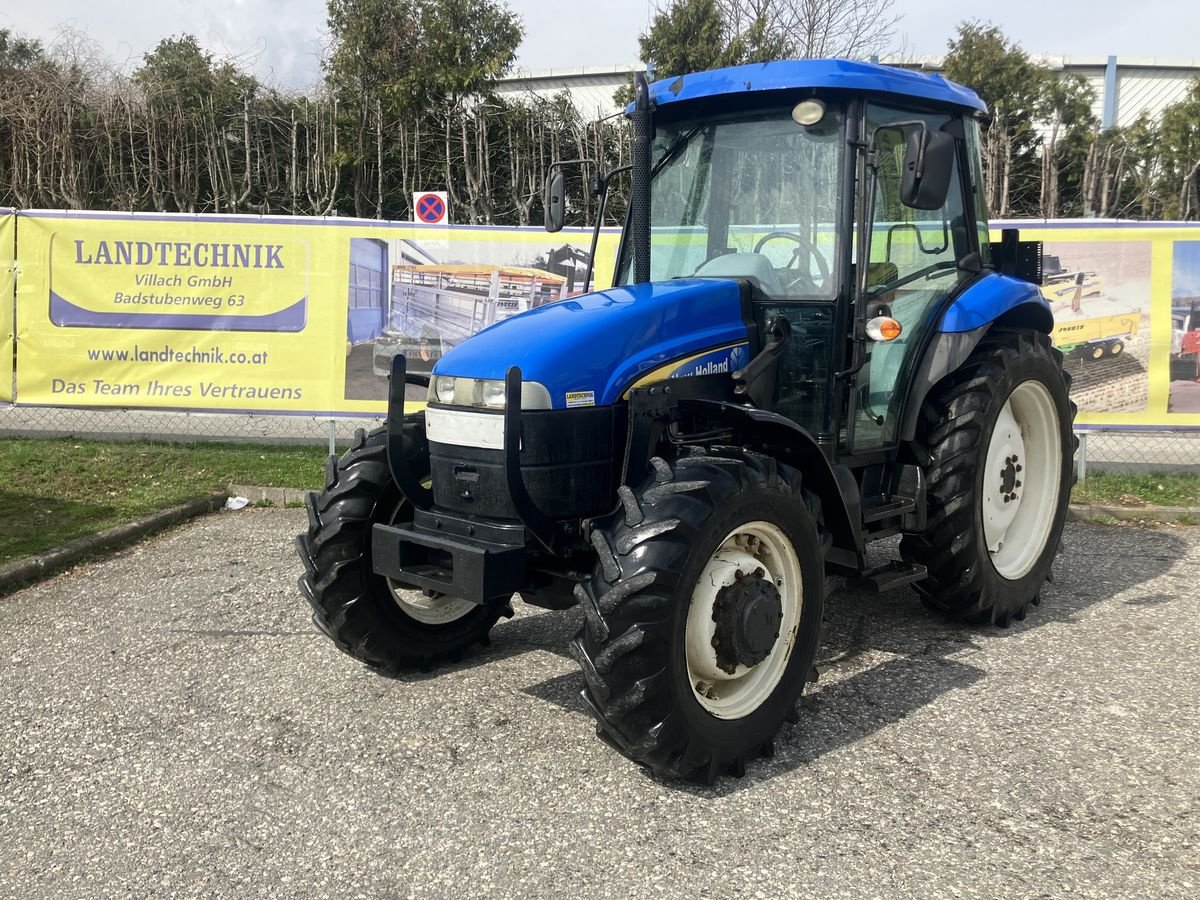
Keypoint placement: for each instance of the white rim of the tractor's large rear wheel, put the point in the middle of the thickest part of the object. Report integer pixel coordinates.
(1022, 481)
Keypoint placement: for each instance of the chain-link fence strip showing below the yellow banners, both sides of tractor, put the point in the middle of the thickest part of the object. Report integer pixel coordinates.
(1101, 451)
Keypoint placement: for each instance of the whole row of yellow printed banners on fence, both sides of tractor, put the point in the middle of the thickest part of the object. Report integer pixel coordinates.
(304, 316)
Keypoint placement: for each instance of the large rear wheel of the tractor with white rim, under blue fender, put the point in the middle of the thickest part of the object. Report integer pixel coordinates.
(999, 435)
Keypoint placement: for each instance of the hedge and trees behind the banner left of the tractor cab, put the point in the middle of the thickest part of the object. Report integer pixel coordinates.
(407, 104)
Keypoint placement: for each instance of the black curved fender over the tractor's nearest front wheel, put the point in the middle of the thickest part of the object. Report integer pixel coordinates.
(795, 446)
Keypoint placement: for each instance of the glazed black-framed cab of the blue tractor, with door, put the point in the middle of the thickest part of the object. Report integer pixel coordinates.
(787, 193)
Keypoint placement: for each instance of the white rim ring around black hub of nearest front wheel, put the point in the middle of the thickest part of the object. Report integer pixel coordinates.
(748, 549)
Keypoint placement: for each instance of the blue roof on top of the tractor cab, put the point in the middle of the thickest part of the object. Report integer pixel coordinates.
(829, 74)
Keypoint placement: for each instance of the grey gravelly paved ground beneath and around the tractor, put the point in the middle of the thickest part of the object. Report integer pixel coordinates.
(171, 727)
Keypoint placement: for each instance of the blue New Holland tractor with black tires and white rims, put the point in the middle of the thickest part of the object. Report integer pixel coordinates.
(811, 345)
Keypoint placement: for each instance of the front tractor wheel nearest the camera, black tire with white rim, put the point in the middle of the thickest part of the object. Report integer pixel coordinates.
(703, 616)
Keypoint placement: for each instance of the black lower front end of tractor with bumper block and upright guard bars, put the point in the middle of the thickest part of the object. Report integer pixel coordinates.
(472, 535)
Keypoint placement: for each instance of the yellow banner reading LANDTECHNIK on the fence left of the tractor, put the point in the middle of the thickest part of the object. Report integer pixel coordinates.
(279, 315)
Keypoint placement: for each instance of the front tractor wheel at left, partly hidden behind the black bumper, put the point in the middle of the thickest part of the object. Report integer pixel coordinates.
(382, 625)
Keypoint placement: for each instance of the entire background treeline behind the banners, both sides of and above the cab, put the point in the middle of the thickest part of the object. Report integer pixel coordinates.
(409, 104)
